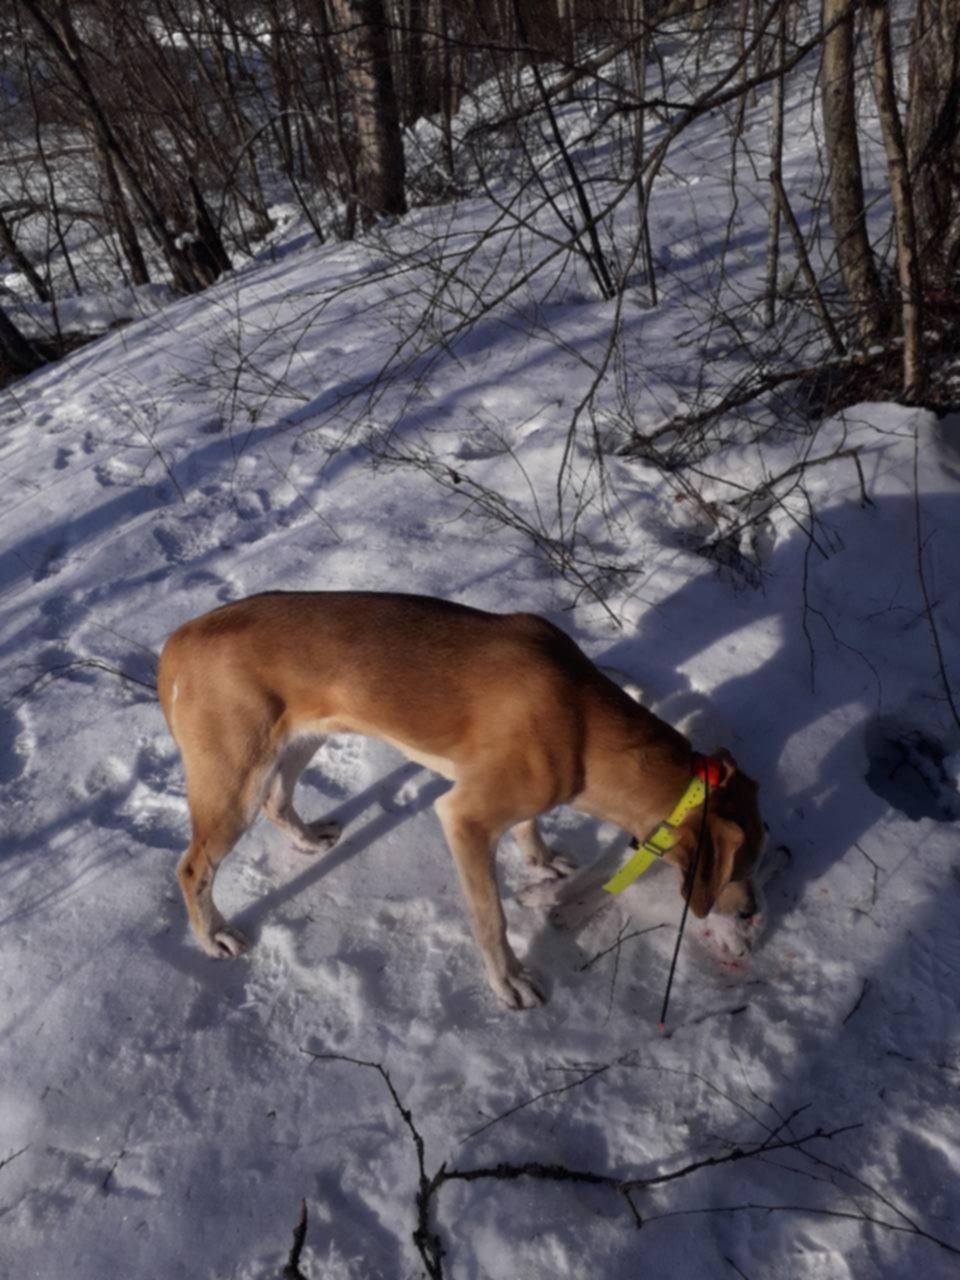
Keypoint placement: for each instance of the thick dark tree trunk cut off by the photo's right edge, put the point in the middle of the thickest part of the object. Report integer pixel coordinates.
(934, 139)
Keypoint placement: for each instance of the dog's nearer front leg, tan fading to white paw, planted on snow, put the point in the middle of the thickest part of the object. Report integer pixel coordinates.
(474, 845)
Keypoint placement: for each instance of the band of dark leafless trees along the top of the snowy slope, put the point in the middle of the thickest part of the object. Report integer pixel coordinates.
(195, 113)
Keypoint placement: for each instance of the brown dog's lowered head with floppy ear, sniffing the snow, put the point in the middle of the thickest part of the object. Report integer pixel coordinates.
(732, 847)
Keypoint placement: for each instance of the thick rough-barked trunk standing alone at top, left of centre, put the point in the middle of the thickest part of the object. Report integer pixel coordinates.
(381, 167)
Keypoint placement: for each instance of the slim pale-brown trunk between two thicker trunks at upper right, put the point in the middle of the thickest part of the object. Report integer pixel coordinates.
(902, 198)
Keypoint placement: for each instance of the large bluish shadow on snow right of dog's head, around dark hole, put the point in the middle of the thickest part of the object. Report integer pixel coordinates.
(848, 683)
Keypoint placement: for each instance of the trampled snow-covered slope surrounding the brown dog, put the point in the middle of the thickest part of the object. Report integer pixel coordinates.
(163, 1116)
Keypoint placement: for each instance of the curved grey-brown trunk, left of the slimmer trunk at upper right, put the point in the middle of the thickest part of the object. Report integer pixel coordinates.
(847, 200)
